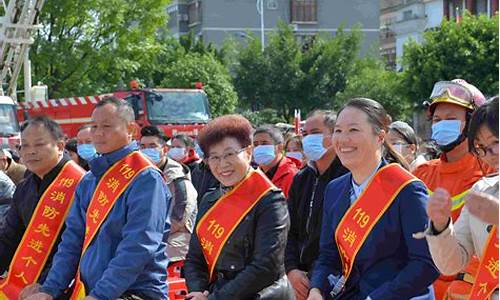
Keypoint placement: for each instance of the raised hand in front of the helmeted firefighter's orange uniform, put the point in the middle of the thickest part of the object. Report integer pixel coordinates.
(439, 209)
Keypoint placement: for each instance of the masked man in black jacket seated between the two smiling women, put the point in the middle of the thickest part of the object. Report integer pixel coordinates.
(305, 199)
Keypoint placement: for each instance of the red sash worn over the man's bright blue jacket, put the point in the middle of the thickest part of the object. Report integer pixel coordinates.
(112, 184)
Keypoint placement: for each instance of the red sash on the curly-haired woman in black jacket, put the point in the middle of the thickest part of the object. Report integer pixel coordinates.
(219, 222)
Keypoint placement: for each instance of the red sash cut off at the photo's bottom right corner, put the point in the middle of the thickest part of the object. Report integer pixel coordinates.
(487, 276)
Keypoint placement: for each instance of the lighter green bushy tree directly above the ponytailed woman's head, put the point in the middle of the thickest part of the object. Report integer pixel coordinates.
(370, 79)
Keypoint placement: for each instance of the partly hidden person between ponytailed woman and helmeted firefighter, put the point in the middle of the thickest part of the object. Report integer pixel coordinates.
(404, 140)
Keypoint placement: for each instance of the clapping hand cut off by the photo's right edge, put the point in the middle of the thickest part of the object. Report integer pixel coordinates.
(483, 206)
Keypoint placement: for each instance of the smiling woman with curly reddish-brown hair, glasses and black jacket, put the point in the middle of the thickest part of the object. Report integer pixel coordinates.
(238, 247)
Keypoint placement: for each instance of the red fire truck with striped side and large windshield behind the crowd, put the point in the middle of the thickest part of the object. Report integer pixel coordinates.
(176, 111)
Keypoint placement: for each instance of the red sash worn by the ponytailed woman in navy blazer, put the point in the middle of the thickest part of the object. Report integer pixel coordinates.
(371, 205)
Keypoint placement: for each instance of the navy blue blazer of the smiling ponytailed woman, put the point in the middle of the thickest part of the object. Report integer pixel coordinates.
(390, 264)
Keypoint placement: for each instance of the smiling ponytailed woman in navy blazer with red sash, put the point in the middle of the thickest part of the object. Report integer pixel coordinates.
(367, 249)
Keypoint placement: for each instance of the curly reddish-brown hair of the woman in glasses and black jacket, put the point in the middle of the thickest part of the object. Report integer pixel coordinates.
(232, 126)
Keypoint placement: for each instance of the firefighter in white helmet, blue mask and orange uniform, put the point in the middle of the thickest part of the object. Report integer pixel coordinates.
(456, 170)
